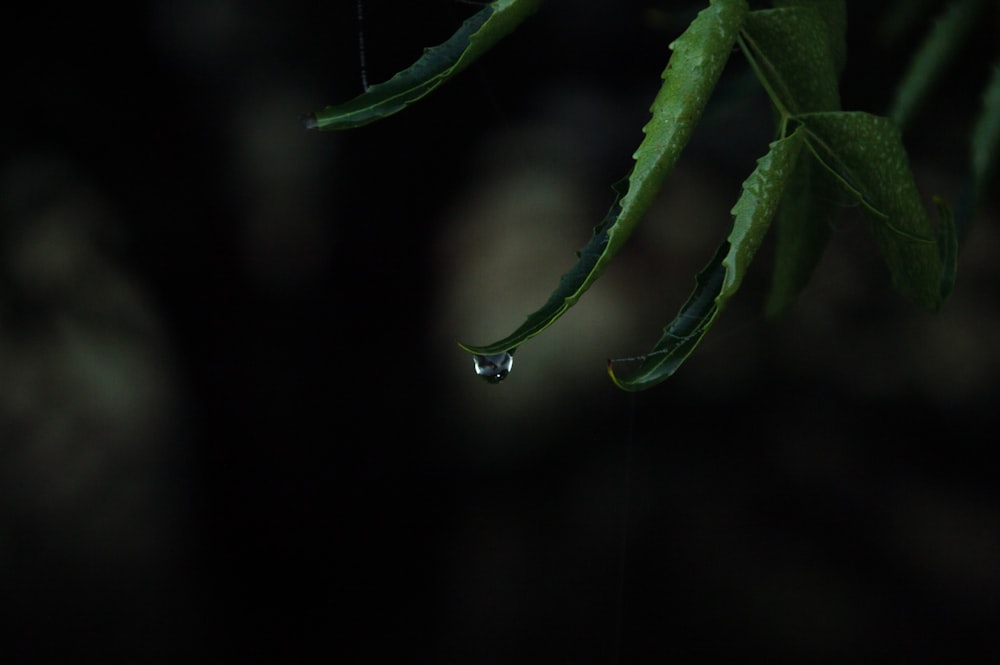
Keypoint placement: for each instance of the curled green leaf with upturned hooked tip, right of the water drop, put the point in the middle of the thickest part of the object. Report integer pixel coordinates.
(721, 279)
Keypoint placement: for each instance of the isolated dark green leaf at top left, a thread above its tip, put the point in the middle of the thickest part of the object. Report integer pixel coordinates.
(437, 65)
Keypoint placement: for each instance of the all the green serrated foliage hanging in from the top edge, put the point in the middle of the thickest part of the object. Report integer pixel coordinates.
(797, 51)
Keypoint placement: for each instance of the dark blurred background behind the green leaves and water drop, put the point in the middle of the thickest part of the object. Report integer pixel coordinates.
(235, 425)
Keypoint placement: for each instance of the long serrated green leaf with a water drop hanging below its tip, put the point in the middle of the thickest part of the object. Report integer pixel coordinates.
(698, 58)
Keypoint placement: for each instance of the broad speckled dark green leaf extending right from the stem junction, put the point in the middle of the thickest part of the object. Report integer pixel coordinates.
(865, 154)
